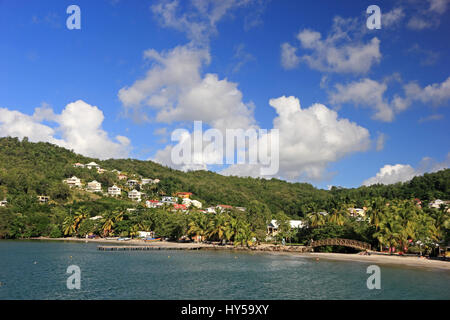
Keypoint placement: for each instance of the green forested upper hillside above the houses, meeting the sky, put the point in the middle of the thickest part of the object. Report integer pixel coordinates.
(38, 169)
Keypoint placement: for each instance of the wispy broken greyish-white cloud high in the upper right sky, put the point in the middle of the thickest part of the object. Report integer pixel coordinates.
(341, 51)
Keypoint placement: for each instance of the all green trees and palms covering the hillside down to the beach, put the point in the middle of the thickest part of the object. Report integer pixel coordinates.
(28, 170)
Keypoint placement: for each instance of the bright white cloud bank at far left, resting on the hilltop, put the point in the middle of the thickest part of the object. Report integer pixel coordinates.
(78, 127)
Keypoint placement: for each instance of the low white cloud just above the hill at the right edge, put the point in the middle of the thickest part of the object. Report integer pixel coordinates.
(390, 174)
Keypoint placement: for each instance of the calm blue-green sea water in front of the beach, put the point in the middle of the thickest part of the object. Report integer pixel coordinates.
(199, 275)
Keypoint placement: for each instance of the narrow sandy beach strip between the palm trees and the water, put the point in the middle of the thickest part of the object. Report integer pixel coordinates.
(349, 257)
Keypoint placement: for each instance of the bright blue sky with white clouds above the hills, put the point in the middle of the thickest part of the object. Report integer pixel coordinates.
(353, 106)
